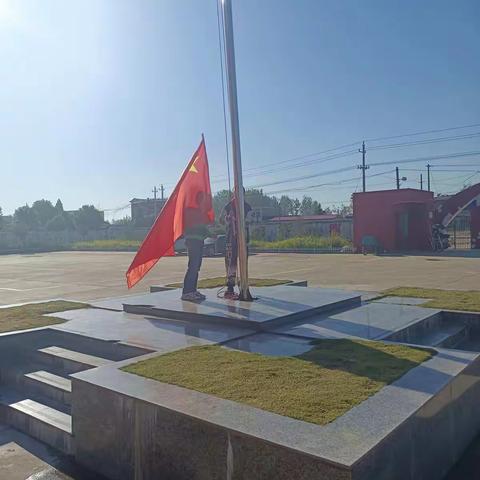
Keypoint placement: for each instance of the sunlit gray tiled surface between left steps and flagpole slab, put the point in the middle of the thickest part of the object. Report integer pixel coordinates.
(158, 334)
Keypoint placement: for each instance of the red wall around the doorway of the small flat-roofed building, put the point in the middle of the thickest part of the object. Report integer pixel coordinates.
(375, 214)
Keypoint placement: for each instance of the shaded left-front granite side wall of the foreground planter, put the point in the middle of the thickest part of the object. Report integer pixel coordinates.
(125, 438)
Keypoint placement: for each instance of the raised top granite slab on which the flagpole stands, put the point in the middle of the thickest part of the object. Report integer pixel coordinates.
(273, 306)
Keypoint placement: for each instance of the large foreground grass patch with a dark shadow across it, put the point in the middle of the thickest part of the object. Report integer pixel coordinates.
(317, 386)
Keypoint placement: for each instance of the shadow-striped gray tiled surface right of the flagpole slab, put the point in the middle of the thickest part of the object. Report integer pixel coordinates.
(370, 321)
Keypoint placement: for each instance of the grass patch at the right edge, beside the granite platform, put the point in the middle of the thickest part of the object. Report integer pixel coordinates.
(468, 301)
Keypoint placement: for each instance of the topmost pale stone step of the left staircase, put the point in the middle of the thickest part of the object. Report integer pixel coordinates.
(70, 361)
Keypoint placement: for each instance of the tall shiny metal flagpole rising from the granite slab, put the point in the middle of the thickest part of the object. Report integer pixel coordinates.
(236, 154)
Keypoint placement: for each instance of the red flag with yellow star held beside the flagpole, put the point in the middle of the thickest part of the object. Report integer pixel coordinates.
(172, 222)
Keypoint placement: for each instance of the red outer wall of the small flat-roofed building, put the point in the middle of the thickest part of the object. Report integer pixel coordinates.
(376, 214)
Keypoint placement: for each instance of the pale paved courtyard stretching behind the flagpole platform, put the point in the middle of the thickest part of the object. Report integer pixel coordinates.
(92, 275)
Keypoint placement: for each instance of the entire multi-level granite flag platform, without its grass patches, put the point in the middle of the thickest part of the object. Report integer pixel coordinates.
(414, 428)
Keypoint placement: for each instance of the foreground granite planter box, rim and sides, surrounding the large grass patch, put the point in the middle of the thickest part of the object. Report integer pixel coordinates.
(414, 428)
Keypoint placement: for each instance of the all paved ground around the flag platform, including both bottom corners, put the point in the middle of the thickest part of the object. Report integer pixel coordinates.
(87, 276)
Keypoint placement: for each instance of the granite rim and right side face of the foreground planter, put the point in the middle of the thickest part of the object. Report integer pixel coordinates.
(362, 439)
